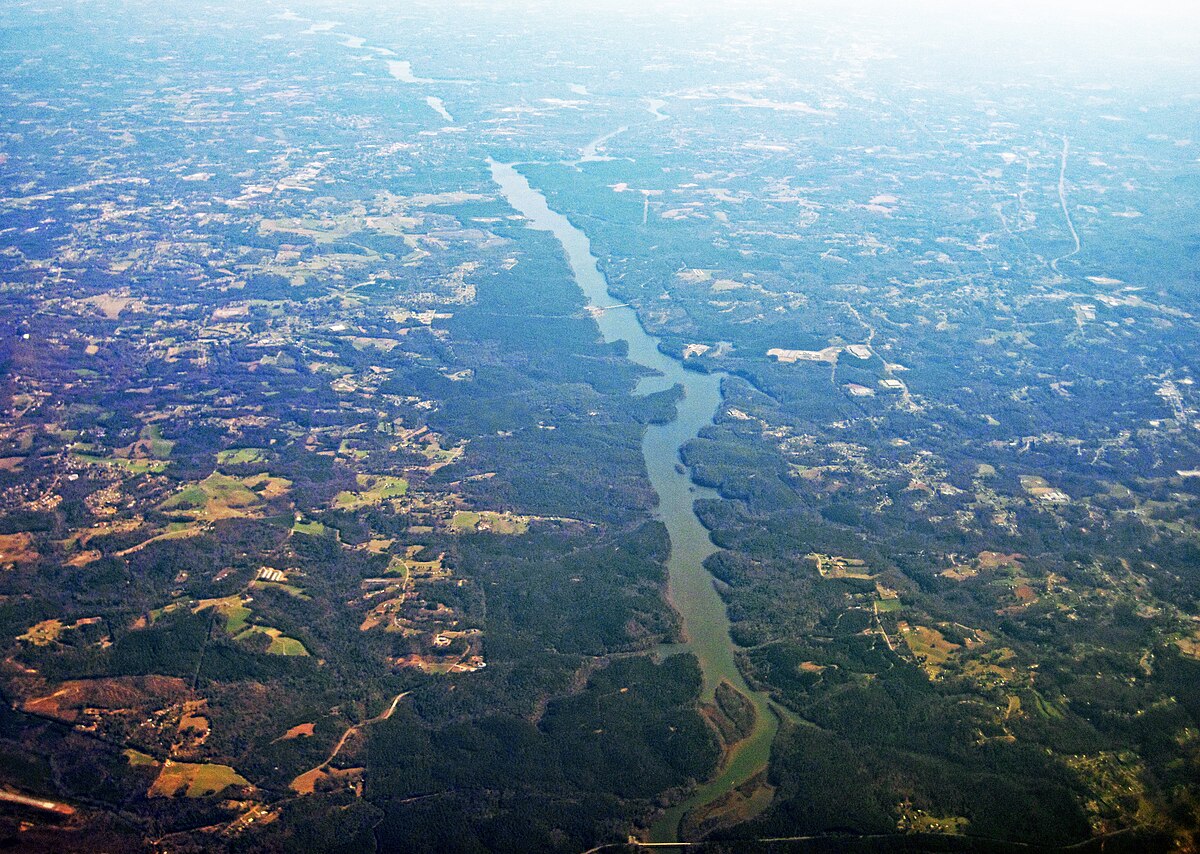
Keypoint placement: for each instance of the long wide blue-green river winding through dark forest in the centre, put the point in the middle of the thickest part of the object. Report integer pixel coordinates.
(691, 586)
